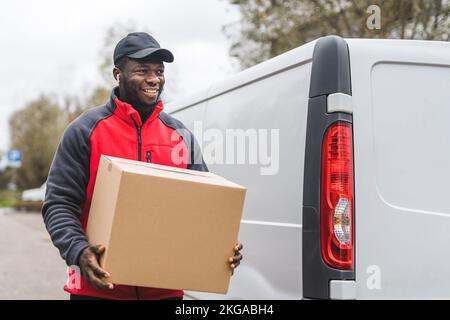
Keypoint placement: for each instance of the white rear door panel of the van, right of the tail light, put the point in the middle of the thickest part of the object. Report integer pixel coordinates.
(401, 122)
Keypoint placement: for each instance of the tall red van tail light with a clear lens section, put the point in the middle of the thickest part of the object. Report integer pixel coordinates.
(337, 216)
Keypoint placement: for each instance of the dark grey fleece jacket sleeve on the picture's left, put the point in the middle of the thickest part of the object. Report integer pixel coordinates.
(66, 188)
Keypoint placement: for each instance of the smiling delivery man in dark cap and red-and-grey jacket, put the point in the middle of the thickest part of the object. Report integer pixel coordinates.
(132, 125)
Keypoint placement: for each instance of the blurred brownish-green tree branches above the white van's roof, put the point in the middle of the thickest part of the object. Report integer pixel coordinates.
(271, 27)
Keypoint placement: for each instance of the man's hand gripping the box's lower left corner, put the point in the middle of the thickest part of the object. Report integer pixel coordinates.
(90, 268)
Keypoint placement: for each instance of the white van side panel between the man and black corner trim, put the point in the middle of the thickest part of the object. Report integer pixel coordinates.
(268, 104)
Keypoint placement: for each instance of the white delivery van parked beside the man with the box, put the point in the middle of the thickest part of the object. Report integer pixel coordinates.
(352, 198)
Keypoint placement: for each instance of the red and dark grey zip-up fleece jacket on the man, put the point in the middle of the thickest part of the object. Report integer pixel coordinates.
(114, 129)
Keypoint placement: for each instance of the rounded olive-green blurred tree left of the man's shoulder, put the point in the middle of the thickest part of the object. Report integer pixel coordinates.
(36, 130)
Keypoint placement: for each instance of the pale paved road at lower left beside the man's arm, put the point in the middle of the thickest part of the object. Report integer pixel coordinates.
(30, 266)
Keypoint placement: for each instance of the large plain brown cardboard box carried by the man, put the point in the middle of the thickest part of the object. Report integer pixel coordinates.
(165, 227)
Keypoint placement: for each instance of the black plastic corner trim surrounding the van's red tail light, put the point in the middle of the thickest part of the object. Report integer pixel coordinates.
(330, 74)
